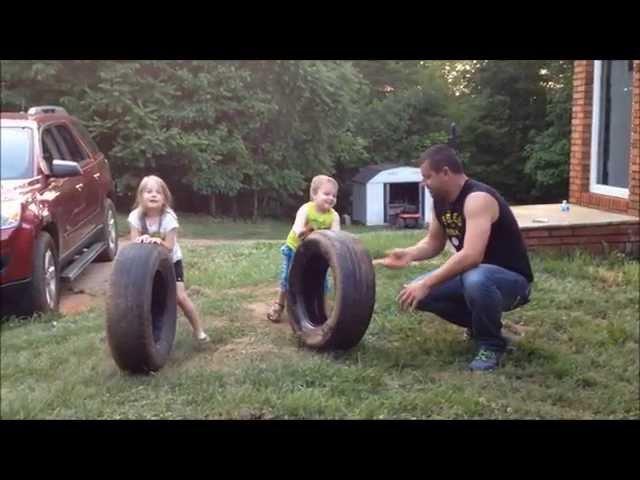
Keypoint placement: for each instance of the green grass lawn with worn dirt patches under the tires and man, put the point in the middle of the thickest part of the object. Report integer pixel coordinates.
(578, 358)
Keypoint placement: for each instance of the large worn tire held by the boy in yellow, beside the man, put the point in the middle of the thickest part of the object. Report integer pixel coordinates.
(354, 287)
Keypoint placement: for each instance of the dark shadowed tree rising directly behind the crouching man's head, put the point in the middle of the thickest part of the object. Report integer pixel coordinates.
(506, 101)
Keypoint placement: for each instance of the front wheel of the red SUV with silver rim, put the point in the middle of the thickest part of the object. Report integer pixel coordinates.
(43, 292)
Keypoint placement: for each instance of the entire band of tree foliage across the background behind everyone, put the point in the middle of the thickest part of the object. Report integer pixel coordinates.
(261, 129)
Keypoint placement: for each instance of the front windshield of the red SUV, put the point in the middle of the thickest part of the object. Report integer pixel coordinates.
(15, 153)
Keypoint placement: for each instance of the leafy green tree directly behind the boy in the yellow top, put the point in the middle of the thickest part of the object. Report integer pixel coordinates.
(308, 130)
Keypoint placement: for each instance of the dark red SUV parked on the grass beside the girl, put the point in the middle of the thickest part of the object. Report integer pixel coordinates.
(57, 209)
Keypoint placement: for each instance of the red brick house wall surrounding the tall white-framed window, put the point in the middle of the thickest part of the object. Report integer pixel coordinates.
(581, 145)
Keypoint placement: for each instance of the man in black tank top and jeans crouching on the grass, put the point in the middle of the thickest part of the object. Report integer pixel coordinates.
(490, 272)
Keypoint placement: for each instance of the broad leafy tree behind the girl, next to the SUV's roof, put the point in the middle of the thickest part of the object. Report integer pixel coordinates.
(185, 117)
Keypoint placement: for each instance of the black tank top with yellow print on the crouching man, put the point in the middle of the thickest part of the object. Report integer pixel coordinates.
(505, 247)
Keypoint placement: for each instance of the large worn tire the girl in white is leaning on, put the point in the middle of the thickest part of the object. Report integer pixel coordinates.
(141, 308)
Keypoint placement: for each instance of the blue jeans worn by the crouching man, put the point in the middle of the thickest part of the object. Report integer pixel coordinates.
(476, 300)
